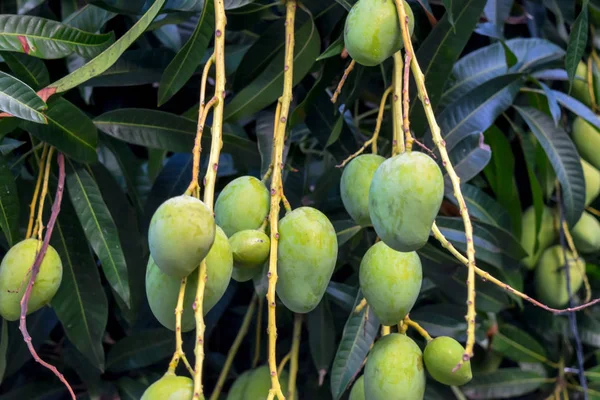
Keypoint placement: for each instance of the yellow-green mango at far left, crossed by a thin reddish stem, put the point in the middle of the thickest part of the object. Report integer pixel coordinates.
(14, 276)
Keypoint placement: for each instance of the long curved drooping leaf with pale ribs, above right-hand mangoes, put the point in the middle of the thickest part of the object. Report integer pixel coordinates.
(564, 159)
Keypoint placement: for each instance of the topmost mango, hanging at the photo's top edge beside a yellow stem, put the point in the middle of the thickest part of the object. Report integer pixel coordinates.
(372, 31)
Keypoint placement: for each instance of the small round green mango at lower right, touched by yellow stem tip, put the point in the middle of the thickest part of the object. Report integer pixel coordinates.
(441, 355)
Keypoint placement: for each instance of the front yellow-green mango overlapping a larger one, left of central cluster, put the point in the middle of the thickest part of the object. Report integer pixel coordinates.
(181, 232)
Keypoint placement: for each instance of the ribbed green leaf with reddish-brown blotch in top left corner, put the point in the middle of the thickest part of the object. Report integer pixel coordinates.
(44, 38)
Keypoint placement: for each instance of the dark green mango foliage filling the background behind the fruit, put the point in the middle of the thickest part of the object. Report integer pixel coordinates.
(499, 87)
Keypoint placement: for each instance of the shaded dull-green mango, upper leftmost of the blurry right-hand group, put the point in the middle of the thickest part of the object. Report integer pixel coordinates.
(546, 235)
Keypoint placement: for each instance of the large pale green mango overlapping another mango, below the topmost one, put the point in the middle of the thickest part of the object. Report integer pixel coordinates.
(404, 198)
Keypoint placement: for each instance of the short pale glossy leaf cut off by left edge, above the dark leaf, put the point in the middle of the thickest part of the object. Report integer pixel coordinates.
(19, 100)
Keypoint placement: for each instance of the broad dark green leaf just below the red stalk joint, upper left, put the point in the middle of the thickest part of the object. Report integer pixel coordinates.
(68, 129)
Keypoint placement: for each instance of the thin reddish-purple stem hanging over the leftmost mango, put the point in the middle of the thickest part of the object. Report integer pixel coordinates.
(36, 268)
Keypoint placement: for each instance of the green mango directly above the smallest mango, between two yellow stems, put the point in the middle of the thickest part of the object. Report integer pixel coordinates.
(243, 204)
